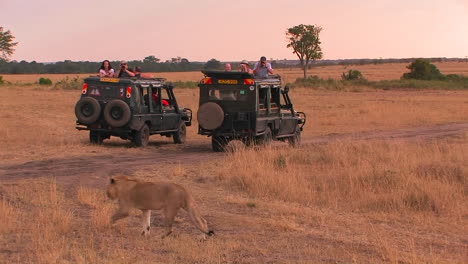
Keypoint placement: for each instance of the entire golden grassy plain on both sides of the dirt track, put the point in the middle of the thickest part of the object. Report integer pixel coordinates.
(389, 201)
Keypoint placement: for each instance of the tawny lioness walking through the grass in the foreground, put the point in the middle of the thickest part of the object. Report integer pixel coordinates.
(147, 196)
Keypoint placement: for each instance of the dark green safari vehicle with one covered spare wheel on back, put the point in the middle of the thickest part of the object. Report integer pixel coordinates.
(236, 106)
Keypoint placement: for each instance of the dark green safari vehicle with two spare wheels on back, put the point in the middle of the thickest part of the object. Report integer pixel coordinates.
(130, 109)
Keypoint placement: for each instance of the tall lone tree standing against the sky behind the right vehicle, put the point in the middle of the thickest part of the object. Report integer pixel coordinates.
(305, 42)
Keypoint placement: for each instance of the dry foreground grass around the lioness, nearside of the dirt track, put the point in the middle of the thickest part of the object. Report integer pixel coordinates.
(364, 202)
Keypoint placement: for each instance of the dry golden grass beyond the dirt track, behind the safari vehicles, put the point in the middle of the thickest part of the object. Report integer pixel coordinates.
(39, 122)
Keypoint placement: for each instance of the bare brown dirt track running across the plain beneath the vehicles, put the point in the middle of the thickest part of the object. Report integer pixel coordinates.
(93, 169)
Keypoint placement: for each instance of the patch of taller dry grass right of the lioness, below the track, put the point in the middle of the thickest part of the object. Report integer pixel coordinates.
(364, 176)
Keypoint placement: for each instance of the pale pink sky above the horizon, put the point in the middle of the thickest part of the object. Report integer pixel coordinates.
(57, 30)
